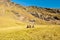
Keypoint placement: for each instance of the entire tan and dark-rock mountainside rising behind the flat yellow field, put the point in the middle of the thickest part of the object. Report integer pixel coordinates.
(12, 14)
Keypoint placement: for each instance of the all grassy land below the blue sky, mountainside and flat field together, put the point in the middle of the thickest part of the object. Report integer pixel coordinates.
(14, 19)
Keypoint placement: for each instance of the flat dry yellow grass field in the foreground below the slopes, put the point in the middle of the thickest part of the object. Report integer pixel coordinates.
(43, 32)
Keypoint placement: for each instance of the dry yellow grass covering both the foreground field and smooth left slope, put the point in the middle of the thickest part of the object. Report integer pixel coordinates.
(11, 28)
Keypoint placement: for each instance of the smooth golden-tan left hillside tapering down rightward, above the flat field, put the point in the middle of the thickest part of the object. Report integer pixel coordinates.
(12, 14)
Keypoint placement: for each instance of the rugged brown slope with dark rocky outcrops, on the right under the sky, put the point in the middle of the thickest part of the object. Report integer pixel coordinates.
(47, 14)
